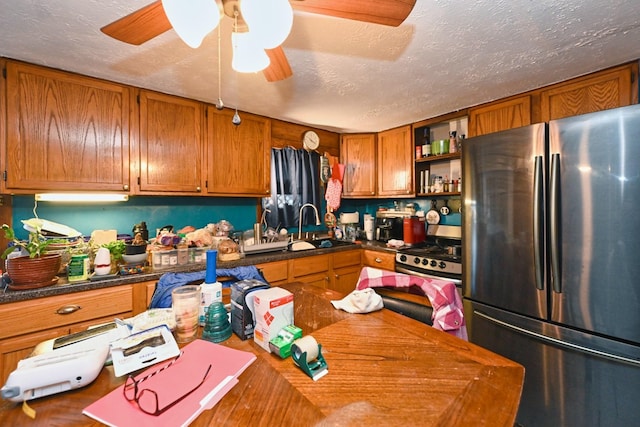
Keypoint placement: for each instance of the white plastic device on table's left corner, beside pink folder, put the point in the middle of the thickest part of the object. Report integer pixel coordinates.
(62, 364)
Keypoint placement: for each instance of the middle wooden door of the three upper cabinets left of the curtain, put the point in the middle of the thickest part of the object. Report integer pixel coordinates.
(170, 145)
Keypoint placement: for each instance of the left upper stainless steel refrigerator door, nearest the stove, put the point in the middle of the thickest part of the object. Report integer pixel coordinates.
(503, 219)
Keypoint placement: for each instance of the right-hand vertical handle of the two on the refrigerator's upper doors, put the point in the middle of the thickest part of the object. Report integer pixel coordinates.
(554, 222)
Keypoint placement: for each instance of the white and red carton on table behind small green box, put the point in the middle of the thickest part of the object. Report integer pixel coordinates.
(273, 308)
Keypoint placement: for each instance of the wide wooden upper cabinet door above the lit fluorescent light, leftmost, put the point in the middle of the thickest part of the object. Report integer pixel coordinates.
(64, 131)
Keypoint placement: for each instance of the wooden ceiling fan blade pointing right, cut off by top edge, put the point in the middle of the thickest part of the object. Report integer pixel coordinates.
(385, 12)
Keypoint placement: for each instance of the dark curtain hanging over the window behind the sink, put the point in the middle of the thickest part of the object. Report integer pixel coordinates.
(295, 180)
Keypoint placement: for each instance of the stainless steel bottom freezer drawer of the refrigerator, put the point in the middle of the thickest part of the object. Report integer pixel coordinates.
(571, 378)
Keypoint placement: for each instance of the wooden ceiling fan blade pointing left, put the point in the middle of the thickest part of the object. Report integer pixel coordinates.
(139, 26)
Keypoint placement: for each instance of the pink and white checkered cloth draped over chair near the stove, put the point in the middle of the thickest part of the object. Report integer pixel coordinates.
(448, 314)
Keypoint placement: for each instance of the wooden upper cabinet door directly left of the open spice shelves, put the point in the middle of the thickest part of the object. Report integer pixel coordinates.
(395, 162)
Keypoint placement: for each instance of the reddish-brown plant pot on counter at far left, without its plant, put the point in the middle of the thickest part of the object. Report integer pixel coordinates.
(33, 272)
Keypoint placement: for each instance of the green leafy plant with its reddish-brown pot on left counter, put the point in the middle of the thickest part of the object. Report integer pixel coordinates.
(36, 269)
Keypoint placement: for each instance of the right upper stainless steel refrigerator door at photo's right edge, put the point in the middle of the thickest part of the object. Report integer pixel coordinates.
(594, 222)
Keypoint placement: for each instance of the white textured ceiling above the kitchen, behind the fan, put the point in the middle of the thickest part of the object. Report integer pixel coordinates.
(348, 76)
